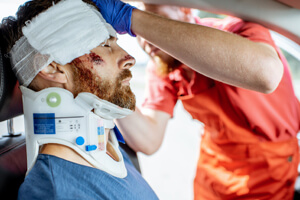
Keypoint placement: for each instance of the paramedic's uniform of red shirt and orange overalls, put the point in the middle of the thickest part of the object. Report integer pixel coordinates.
(249, 149)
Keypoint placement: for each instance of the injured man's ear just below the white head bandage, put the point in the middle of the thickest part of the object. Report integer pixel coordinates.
(54, 72)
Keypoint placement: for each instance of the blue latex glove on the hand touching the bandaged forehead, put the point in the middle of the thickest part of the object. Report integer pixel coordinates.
(116, 13)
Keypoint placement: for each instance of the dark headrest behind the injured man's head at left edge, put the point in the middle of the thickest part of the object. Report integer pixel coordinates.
(10, 94)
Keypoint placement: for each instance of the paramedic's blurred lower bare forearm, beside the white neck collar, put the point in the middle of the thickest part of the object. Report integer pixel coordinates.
(144, 130)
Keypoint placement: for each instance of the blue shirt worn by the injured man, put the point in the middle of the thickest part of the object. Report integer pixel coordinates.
(55, 178)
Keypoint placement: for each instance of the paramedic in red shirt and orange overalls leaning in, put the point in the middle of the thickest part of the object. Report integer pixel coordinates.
(230, 75)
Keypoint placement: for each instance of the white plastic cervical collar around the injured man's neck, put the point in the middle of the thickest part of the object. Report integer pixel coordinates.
(53, 115)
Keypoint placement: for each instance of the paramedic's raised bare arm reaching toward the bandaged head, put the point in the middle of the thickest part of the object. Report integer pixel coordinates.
(220, 55)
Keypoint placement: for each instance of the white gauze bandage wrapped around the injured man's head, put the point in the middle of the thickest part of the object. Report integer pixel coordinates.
(65, 31)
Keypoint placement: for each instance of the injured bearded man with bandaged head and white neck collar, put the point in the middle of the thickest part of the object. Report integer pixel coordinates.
(74, 80)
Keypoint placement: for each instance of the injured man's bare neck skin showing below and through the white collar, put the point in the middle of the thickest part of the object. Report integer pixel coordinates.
(69, 154)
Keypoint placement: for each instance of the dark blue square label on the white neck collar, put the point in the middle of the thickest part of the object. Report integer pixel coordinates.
(44, 123)
